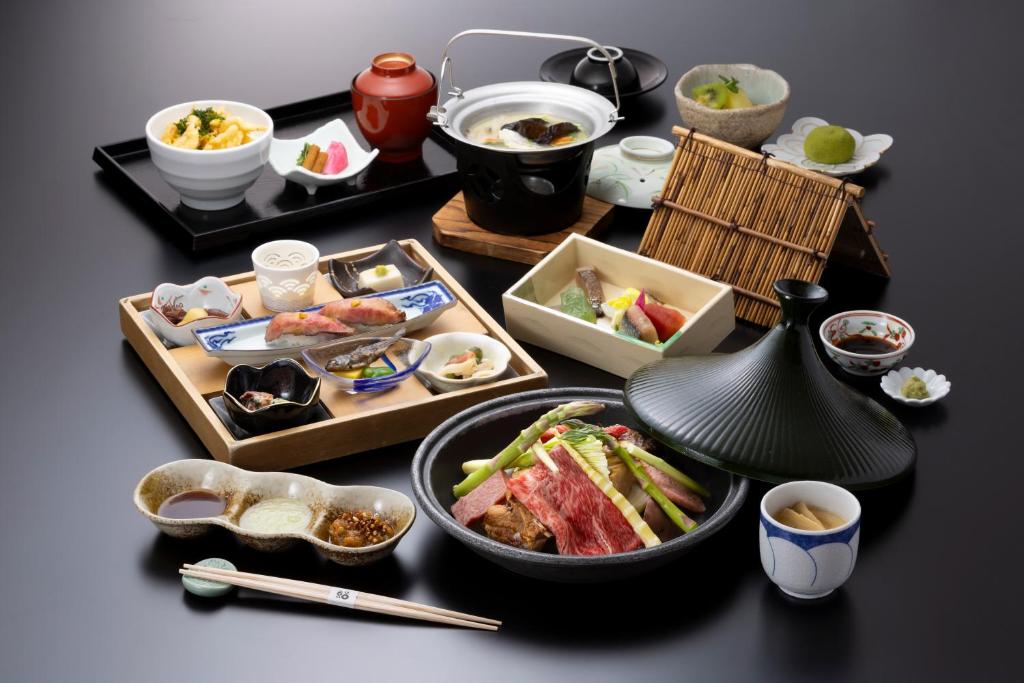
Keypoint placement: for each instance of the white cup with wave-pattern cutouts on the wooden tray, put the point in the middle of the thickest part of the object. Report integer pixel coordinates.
(286, 274)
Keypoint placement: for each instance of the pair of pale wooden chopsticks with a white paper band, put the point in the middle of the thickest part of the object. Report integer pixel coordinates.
(322, 593)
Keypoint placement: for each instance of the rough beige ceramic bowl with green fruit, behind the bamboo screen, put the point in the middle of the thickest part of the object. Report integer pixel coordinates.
(739, 104)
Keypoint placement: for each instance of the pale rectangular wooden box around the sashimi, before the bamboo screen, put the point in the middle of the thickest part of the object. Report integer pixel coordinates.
(532, 307)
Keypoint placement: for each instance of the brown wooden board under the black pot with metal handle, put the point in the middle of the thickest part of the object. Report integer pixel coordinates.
(454, 229)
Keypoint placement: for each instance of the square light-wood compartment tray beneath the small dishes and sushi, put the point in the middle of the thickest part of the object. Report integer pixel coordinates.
(349, 423)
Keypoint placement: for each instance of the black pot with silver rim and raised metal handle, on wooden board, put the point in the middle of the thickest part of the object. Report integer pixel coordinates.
(524, 192)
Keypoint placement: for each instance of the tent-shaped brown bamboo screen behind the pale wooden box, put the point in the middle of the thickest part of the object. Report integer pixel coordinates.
(742, 219)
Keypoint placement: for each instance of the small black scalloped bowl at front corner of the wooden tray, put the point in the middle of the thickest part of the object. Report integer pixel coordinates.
(284, 378)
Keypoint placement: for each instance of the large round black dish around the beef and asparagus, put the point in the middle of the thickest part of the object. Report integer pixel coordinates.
(485, 430)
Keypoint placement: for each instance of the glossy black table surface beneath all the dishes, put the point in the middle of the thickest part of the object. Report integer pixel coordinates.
(89, 589)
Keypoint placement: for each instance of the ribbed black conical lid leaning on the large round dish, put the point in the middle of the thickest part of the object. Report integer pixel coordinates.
(773, 412)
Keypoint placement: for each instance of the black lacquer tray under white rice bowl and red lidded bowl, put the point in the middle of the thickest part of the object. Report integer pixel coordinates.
(272, 203)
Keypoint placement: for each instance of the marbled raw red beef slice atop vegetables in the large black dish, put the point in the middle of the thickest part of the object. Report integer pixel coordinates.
(582, 519)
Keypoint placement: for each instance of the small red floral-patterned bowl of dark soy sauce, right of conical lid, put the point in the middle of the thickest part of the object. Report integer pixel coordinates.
(872, 324)
